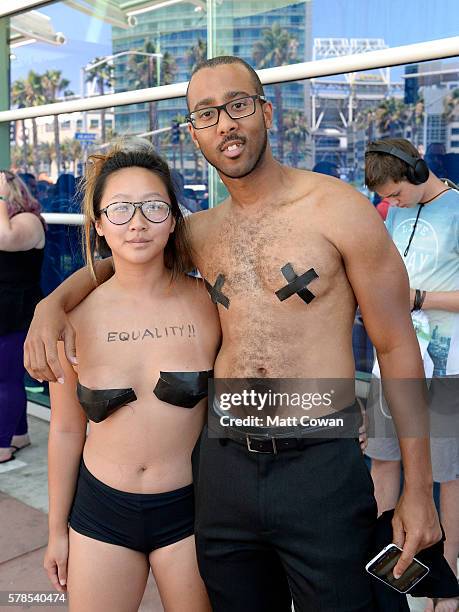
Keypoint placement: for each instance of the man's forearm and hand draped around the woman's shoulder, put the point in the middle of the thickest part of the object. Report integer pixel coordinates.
(50, 323)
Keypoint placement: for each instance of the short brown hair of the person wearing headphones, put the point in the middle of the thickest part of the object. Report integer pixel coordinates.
(382, 167)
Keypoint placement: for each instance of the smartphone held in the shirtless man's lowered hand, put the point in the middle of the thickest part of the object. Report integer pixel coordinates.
(381, 567)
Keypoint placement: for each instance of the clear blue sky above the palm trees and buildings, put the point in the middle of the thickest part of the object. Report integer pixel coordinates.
(398, 22)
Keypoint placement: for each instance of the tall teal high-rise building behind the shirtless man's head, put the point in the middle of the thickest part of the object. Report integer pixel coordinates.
(179, 34)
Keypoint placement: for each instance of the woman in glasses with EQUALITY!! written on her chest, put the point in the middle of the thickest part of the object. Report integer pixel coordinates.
(146, 344)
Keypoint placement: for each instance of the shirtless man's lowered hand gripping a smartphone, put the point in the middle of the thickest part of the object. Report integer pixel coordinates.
(415, 525)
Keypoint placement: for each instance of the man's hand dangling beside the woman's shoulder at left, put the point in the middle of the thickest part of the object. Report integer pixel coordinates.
(50, 324)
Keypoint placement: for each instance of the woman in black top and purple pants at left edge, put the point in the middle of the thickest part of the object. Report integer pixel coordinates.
(22, 241)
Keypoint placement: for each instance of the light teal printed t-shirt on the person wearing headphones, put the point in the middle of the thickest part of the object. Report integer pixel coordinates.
(432, 264)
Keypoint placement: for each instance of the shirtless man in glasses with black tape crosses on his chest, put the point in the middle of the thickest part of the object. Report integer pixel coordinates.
(283, 521)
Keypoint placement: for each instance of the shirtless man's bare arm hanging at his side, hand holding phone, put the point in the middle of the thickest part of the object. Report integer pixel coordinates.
(380, 283)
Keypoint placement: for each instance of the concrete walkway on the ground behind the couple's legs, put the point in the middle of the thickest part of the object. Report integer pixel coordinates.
(24, 529)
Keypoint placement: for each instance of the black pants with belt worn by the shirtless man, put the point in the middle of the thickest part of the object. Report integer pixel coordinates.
(298, 525)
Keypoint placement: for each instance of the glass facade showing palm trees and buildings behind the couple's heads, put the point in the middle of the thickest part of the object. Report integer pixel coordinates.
(128, 45)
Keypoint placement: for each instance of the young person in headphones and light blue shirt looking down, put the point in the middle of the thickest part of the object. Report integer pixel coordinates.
(423, 221)
